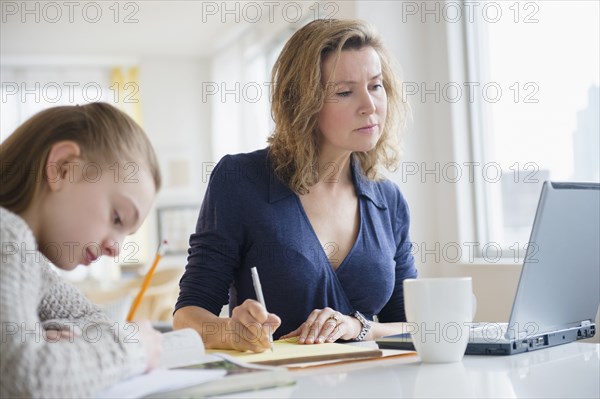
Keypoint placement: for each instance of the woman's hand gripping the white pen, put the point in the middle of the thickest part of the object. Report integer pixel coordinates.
(251, 327)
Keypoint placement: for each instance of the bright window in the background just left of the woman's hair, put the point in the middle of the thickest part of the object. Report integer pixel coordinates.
(239, 92)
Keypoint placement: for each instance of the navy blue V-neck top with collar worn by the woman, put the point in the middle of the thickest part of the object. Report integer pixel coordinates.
(250, 218)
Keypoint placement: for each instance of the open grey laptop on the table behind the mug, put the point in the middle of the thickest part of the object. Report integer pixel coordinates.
(559, 289)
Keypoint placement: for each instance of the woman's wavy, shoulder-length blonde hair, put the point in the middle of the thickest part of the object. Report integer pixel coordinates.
(298, 96)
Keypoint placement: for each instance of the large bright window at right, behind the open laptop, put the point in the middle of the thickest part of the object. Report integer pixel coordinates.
(534, 67)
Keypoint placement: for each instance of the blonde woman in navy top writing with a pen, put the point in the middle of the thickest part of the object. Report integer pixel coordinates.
(328, 235)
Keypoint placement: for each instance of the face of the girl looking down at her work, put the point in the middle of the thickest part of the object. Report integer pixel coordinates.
(89, 211)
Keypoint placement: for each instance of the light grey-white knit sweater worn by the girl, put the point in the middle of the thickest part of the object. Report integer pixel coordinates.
(34, 298)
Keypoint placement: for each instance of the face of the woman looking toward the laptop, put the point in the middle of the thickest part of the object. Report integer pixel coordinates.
(353, 115)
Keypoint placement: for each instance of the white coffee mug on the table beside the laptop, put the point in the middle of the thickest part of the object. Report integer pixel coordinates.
(439, 312)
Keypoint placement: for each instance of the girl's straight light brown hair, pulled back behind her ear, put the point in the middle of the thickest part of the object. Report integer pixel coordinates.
(104, 134)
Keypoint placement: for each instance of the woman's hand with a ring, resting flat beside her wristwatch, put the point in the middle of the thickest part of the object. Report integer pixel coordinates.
(326, 325)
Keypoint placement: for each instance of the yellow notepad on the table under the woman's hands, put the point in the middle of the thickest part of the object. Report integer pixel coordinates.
(289, 351)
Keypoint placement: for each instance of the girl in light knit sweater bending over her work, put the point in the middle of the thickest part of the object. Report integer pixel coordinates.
(75, 180)
